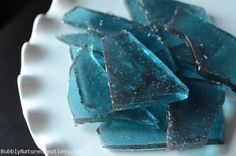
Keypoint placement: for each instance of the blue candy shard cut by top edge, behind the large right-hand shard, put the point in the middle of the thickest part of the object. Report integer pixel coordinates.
(159, 12)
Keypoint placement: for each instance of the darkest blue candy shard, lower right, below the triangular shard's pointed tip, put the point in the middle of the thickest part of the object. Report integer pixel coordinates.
(191, 120)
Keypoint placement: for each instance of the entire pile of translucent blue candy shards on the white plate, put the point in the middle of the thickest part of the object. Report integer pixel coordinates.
(126, 80)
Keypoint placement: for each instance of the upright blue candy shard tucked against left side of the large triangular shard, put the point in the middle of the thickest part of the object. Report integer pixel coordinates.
(90, 77)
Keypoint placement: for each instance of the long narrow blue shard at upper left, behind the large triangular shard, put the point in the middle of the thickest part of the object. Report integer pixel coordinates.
(109, 25)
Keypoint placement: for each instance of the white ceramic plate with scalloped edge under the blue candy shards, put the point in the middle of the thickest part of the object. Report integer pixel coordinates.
(43, 83)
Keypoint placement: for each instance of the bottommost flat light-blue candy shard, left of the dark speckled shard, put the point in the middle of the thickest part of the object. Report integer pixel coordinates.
(129, 136)
